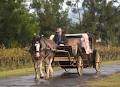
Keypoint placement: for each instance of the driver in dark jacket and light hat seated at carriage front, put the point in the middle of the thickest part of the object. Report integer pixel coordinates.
(60, 38)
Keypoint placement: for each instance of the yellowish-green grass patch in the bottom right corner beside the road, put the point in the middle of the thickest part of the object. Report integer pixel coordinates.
(110, 81)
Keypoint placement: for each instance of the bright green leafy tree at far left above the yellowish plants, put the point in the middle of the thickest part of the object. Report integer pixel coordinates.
(16, 24)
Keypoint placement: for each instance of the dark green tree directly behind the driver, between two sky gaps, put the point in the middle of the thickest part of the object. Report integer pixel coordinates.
(50, 15)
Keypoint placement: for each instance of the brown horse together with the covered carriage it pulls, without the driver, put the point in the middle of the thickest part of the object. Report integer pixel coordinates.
(71, 55)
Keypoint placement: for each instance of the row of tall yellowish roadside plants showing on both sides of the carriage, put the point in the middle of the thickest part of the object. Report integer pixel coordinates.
(19, 58)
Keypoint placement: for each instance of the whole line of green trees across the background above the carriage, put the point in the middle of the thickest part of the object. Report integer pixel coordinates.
(17, 24)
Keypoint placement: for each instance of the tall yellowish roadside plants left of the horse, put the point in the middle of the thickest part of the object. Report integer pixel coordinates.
(14, 58)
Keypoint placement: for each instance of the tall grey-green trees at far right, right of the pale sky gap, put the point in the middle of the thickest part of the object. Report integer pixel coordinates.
(101, 18)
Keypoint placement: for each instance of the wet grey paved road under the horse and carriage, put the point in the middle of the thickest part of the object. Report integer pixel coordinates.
(61, 78)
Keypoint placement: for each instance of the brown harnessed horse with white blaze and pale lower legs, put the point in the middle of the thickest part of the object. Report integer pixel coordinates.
(42, 50)
